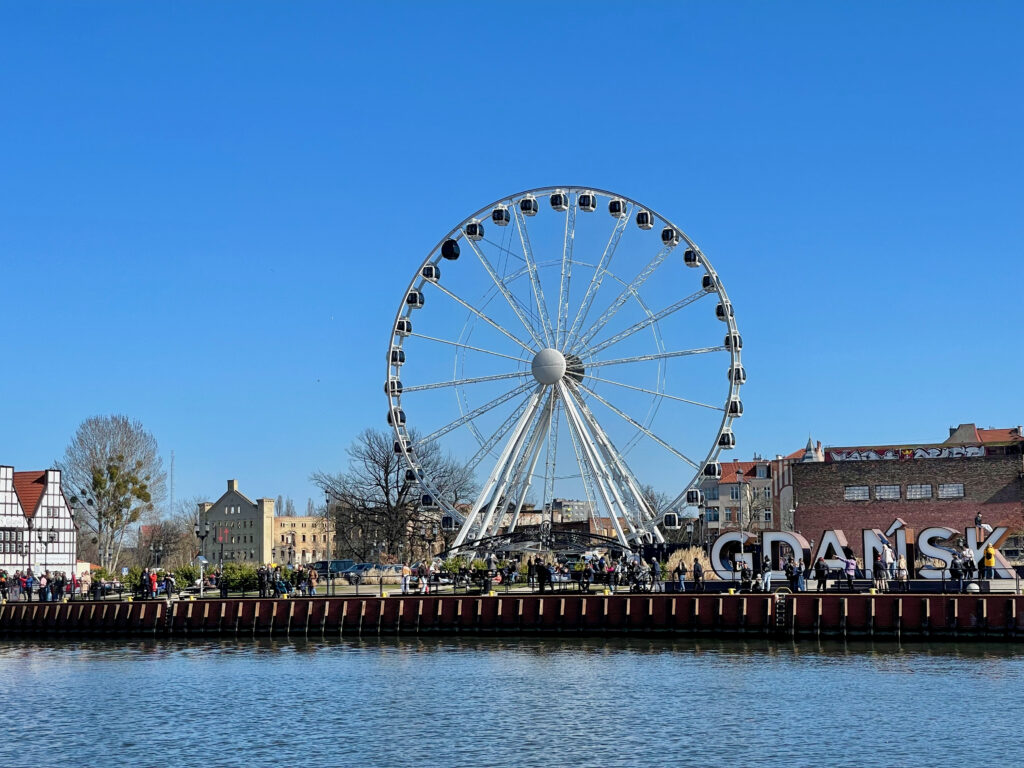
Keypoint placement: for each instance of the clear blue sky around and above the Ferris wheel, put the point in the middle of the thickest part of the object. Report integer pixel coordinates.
(209, 211)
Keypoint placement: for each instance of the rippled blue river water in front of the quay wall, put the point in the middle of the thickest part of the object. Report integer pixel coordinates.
(507, 703)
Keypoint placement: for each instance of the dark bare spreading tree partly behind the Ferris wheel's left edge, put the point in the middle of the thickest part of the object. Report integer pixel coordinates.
(377, 511)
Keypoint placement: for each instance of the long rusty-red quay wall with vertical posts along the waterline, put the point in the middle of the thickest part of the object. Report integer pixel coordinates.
(990, 617)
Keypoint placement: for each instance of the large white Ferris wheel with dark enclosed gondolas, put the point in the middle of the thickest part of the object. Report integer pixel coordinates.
(572, 350)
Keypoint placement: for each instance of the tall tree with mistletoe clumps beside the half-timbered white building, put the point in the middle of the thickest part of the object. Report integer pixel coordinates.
(113, 473)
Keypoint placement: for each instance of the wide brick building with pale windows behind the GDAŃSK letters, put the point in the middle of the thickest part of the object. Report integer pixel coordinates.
(973, 472)
